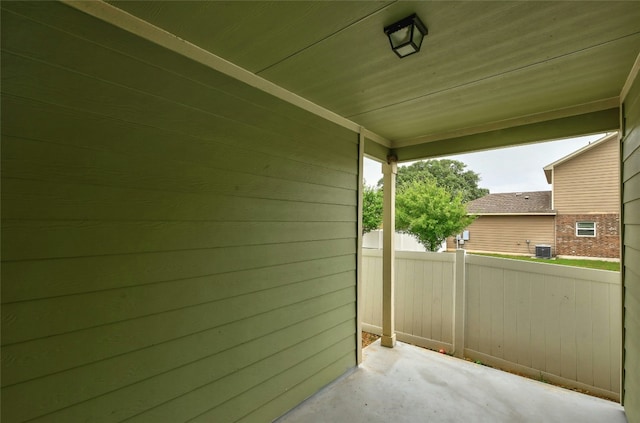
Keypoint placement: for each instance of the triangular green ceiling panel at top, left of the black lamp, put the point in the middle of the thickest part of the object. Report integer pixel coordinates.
(254, 35)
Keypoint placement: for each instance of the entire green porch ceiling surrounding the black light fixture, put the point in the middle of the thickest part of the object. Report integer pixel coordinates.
(482, 62)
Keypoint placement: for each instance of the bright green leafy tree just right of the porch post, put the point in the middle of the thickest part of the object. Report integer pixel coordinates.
(430, 213)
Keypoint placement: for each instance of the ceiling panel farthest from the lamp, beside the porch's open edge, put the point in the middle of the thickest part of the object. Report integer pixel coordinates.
(541, 87)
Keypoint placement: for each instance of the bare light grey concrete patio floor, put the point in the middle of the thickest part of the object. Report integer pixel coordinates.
(411, 384)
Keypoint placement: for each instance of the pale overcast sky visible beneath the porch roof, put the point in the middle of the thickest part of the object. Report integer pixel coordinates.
(513, 169)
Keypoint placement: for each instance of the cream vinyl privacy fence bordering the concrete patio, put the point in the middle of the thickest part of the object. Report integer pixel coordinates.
(556, 323)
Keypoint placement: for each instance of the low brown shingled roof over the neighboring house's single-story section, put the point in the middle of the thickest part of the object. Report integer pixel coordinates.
(535, 202)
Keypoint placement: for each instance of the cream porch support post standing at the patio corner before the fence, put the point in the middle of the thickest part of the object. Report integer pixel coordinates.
(389, 171)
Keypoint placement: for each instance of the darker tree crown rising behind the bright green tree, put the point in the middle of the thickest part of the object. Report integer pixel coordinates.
(448, 174)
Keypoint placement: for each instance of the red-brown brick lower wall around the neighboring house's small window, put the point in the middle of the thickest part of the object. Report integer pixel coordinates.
(606, 243)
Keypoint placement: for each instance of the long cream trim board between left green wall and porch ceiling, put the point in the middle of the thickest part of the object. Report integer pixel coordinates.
(144, 29)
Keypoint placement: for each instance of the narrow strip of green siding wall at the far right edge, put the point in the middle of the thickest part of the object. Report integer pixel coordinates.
(631, 251)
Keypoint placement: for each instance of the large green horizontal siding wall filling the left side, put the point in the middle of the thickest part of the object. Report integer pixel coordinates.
(175, 245)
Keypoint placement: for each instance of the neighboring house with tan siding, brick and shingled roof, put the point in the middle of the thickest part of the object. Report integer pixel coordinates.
(580, 217)
